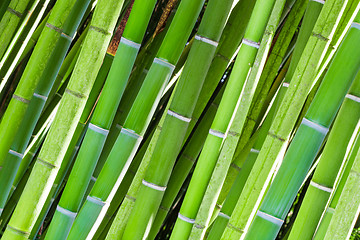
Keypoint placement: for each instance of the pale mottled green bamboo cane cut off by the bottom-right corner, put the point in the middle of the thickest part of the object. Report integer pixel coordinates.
(347, 210)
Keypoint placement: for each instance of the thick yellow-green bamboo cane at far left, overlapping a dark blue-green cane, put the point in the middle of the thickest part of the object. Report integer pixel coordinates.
(21, 98)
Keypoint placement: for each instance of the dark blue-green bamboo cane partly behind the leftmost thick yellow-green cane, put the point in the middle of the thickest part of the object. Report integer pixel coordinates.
(15, 154)
